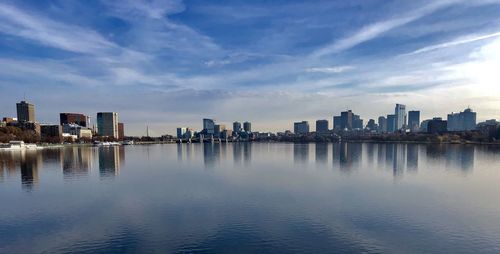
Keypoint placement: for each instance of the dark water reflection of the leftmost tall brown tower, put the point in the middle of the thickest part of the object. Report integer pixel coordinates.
(31, 161)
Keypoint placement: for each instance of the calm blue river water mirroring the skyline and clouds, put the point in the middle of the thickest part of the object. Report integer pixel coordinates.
(252, 198)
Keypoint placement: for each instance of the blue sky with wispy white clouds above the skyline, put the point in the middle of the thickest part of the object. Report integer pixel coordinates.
(170, 63)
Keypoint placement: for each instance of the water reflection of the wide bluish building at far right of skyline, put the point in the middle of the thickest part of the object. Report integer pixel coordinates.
(460, 157)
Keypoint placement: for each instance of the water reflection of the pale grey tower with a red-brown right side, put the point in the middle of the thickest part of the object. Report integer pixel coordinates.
(110, 161)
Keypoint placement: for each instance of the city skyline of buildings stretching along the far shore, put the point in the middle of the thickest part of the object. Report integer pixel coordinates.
(107, 124)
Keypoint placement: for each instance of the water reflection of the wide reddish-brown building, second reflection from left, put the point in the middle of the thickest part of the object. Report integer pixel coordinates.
(76, 161)
